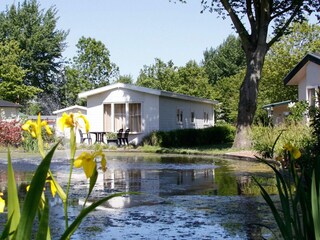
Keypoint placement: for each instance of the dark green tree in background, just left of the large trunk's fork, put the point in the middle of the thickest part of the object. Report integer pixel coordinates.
(225, 60)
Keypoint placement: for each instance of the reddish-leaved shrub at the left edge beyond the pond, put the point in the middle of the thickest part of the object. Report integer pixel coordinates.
(10, 133)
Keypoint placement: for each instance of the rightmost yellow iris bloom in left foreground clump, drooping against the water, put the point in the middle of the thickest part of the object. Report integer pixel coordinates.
(87, 162)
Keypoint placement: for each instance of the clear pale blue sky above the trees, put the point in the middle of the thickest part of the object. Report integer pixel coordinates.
(138, 31)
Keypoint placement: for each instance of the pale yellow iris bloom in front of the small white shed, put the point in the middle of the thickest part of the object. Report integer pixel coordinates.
(73, 120)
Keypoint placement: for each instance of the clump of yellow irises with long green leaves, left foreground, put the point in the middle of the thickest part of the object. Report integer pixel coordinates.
(20, 223)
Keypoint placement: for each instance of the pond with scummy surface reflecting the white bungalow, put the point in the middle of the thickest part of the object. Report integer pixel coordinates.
(183, 197)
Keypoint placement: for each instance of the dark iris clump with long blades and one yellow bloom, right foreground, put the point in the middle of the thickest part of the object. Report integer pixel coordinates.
(299, 197)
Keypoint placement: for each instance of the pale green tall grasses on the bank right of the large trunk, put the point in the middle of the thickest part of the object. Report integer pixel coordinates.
(265, 137)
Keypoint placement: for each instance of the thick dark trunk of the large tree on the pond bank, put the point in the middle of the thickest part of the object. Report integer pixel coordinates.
(248, 97)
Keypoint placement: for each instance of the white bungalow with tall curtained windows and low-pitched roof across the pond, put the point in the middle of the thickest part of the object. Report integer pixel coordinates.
(143, 110)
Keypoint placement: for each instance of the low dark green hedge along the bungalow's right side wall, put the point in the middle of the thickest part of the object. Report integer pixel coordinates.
(191, 137)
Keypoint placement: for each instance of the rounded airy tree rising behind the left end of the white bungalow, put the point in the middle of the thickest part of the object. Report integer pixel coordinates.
(93, 63)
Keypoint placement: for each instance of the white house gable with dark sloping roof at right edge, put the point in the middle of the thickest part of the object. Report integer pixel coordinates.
(306, 75)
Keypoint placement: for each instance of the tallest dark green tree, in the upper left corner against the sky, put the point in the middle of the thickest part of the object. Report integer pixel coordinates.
(42, 44)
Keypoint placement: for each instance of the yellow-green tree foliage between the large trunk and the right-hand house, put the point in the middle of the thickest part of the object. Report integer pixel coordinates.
(282, 58)
